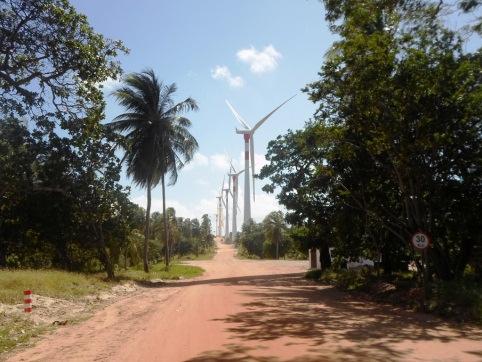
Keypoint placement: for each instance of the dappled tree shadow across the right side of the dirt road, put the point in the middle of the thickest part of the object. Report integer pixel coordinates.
(289, 306)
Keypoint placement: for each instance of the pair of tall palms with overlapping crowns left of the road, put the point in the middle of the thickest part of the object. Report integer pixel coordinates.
(157, 141)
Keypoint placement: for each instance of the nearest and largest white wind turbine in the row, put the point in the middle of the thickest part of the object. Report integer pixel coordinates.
(248, 134)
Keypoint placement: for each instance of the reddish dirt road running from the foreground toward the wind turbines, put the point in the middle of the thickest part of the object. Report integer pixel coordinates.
(243, 310)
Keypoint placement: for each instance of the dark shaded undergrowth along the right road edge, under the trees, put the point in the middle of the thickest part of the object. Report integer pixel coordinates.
(459, 299)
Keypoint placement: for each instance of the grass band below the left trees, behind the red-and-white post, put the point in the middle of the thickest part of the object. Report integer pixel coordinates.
(51, 283)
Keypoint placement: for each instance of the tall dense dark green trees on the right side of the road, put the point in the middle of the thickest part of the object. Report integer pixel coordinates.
(395, 145)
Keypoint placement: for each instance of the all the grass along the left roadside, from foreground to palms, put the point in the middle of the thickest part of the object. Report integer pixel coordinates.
(16, 328)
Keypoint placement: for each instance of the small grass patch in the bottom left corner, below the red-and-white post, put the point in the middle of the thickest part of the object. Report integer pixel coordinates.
(16, 331)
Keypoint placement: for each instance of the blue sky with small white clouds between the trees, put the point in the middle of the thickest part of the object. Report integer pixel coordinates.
(255, 53)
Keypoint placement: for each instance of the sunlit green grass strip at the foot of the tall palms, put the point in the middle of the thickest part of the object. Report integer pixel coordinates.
(157, 271)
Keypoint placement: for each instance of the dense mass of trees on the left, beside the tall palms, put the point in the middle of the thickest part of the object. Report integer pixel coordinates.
(61, 203)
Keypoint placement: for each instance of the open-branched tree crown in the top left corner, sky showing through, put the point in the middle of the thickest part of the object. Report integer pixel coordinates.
(52, 60)
